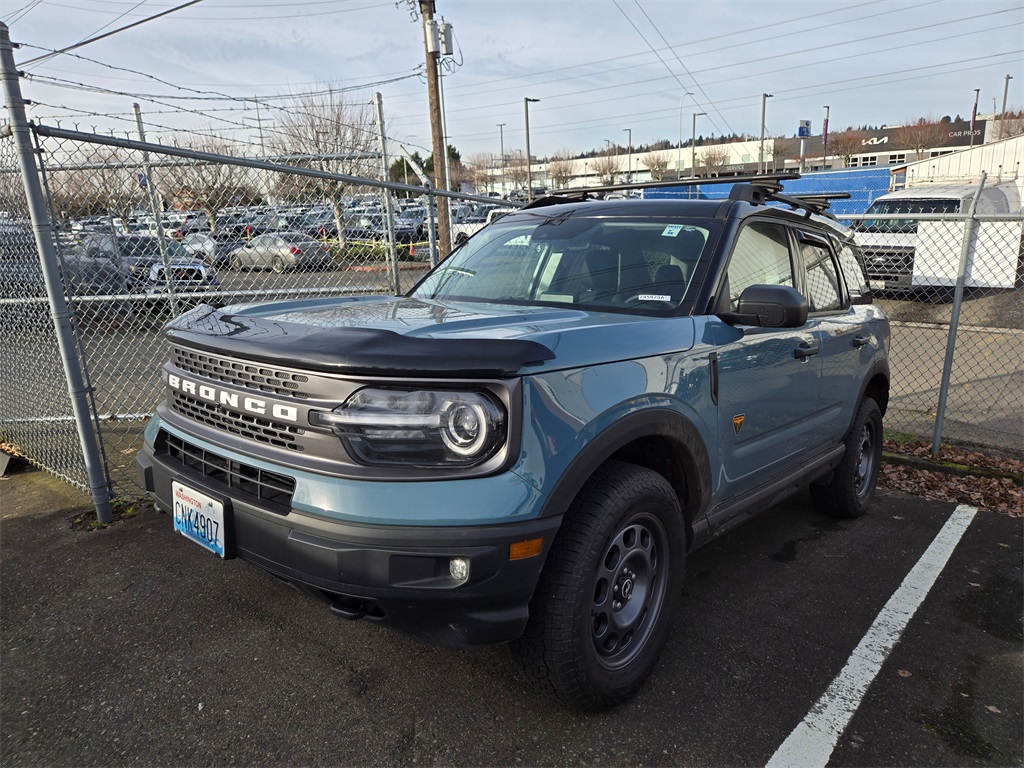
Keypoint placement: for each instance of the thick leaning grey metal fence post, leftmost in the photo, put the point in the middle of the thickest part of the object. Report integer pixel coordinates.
(45, 235)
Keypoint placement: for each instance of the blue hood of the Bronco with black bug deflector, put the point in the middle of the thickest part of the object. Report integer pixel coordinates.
(392, 336)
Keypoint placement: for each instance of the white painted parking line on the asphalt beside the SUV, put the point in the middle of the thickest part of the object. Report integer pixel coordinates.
(813, 743)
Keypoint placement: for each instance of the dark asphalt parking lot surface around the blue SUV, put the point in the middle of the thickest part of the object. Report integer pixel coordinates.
(132, 647)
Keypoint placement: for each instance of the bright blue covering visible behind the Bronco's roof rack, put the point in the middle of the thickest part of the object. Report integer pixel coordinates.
(864, 185)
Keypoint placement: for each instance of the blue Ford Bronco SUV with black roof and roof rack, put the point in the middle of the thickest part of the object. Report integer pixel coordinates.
(526, 447)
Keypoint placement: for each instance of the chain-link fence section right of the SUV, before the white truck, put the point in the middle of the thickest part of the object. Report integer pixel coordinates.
(951, 285)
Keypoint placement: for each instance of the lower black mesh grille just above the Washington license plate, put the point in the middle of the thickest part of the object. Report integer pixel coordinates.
(271, 490)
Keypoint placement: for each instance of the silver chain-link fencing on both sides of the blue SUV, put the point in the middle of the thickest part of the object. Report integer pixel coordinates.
(142, 236)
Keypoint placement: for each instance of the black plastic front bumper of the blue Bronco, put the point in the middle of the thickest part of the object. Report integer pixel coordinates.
(396, 575)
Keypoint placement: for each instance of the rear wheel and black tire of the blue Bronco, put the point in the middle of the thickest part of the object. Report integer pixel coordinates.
(851, 489)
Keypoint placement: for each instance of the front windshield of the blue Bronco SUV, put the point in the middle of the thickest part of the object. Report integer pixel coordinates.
(632, 265)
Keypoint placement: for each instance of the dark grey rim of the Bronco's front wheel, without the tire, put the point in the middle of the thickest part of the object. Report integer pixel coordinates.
(629, 590)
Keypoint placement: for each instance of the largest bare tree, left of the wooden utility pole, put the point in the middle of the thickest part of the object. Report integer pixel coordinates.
(328, 134)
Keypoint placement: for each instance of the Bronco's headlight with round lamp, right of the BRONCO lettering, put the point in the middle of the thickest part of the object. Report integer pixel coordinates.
(399, 428)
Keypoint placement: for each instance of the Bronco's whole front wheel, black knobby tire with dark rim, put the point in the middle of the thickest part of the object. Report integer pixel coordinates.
(604, 607)
